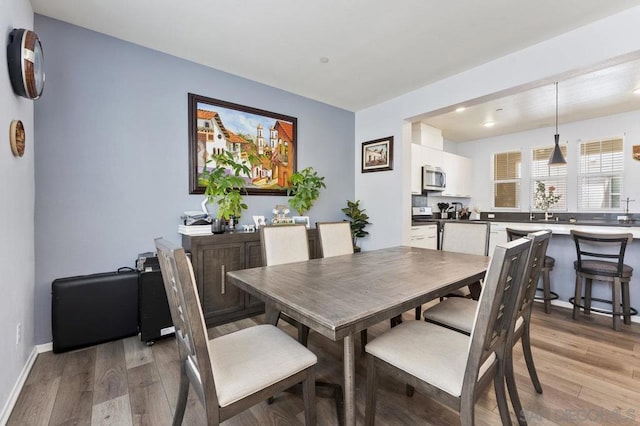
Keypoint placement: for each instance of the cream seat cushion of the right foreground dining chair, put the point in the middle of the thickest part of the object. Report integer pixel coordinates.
(409, 346)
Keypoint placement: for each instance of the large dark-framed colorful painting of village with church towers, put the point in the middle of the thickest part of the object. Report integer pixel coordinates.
(264, 141)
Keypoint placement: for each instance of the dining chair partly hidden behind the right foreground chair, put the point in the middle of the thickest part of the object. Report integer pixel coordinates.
(458, 314)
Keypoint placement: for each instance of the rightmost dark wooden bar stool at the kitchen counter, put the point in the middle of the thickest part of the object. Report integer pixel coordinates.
(590, 247)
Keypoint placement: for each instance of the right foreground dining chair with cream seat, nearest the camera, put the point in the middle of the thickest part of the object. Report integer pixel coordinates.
(450, 367)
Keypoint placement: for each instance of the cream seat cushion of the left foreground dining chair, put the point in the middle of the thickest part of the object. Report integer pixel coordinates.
(248, 360)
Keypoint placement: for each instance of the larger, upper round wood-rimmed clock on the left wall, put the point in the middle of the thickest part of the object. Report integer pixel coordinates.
(26, 63)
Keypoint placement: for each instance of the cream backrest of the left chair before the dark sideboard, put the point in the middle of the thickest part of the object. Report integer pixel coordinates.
(284, 244)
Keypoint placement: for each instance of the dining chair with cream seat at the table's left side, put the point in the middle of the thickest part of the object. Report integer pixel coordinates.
(234, 372)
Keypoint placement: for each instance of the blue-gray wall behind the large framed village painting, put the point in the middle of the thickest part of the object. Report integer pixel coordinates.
(111, 152)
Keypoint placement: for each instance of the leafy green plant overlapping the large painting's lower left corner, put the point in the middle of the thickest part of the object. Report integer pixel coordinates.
(223, 185)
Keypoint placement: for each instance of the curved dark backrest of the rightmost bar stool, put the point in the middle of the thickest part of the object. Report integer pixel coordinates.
(597, 246)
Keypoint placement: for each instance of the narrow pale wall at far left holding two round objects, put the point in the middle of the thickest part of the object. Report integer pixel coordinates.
(16, 217)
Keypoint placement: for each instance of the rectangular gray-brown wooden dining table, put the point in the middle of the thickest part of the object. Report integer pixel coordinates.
(342, 295)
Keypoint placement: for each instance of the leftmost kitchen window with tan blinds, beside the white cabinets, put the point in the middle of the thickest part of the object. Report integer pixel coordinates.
(506, 179)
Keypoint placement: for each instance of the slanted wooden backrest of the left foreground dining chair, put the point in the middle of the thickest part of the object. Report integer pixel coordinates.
(187, 316)
